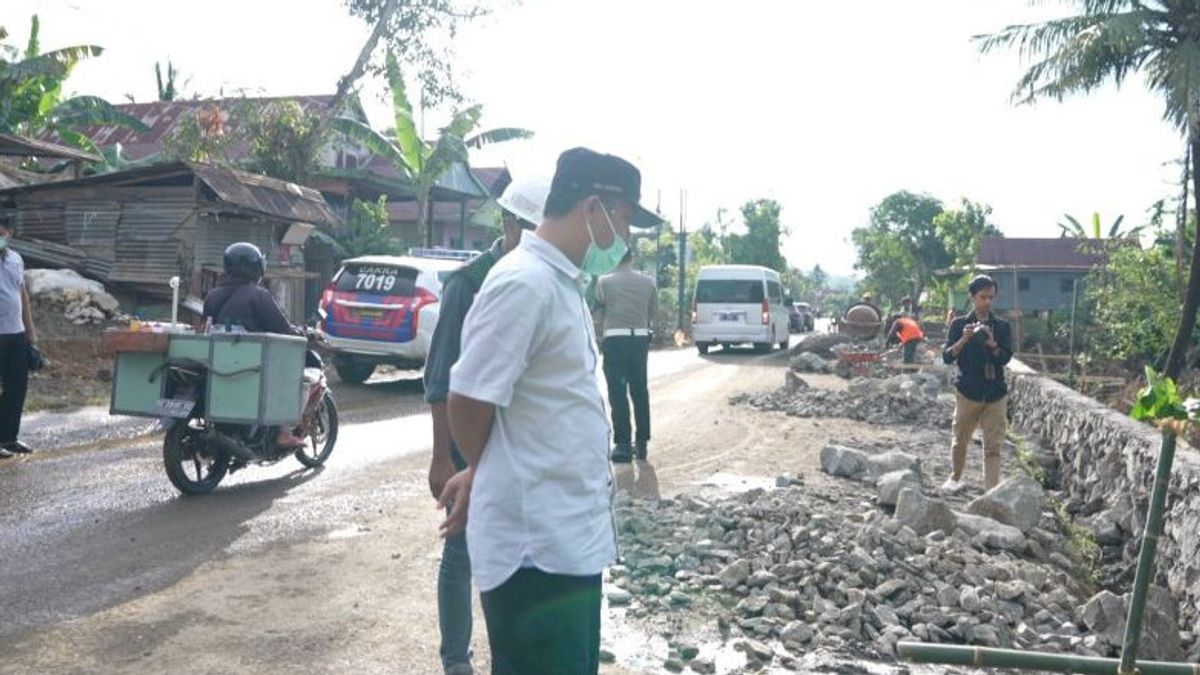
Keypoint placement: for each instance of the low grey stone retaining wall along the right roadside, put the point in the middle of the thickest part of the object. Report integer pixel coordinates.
(1108, 469)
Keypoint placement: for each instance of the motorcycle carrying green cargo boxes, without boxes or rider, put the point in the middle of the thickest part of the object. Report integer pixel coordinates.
(199, 453)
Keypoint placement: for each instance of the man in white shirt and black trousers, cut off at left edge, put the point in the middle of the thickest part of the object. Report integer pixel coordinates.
(16, 337)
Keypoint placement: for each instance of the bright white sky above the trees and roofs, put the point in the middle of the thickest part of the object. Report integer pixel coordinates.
(826, 107)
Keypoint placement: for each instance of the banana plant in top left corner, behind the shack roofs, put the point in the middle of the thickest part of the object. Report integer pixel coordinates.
(32, 99)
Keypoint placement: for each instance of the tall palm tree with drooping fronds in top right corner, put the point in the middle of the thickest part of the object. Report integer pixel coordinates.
(1111, 40)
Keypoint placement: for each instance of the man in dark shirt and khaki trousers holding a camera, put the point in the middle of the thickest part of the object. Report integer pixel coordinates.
(981, 344)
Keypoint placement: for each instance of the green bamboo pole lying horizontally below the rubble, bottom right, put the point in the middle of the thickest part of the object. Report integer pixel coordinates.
(987, 658)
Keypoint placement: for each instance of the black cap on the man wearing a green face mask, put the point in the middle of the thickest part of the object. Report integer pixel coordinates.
(586, 172)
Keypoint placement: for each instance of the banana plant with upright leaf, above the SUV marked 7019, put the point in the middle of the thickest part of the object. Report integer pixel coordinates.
(421, 162)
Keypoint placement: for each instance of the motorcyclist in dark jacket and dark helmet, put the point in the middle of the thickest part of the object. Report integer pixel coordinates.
(241, 300)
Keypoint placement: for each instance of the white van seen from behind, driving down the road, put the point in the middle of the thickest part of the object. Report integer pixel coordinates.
(740, 304)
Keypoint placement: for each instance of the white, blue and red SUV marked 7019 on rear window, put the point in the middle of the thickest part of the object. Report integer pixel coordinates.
(383, 310)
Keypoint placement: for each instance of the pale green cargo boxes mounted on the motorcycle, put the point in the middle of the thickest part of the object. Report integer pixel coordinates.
(253, 378)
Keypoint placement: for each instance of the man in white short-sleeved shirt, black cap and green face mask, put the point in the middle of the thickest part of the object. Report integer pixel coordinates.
(527, 415)
